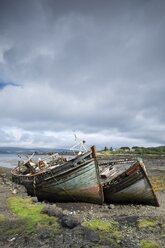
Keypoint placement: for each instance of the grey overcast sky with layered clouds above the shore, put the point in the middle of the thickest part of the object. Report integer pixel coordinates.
(94, 68)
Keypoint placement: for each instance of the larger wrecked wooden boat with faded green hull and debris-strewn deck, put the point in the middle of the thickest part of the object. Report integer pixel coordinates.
(62, 181)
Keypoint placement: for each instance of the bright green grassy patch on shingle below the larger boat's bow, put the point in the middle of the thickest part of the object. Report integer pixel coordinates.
(108, 230)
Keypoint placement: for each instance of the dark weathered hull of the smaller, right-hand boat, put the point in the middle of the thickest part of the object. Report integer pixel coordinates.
(131, 186)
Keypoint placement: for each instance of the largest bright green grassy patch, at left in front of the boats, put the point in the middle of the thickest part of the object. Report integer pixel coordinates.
(31, 214)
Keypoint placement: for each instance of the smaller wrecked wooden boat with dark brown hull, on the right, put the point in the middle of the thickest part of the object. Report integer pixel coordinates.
(126, 181)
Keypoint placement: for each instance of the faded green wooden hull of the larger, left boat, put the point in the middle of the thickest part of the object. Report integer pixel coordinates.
(76, 180)
